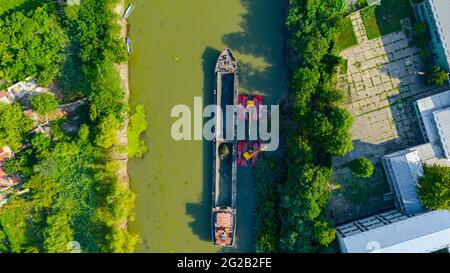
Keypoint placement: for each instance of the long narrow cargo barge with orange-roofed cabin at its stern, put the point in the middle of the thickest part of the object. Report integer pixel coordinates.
(224, 178)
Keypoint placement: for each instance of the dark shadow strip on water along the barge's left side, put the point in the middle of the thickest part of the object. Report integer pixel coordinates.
(201, 212)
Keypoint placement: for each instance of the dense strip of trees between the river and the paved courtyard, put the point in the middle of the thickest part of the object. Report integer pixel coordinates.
(319, 128)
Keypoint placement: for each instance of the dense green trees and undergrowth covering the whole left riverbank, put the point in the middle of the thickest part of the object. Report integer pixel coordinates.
(74, 193)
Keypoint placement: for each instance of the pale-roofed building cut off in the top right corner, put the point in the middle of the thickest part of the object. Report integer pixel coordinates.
(435, 14)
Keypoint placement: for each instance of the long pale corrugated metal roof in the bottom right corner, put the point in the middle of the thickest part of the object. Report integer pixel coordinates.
(424, 233)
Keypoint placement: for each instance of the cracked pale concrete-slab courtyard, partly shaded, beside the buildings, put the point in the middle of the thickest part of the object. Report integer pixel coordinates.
(381, 84)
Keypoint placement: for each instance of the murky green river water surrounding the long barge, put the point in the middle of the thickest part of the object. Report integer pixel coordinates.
(176, 44)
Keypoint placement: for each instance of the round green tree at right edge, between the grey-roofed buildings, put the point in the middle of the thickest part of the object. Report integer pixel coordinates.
(434, 187)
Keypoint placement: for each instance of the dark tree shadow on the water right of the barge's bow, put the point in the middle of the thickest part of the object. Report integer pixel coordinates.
(261, 21)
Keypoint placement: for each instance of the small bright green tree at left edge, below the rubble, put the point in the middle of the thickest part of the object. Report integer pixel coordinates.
(14, 126)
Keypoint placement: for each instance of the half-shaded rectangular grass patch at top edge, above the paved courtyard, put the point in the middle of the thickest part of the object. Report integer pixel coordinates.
(385, 18)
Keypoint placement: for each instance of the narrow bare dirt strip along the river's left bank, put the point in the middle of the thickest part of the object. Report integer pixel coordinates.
(121, 154)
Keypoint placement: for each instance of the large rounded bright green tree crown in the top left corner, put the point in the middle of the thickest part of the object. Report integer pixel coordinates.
(31, 44)
